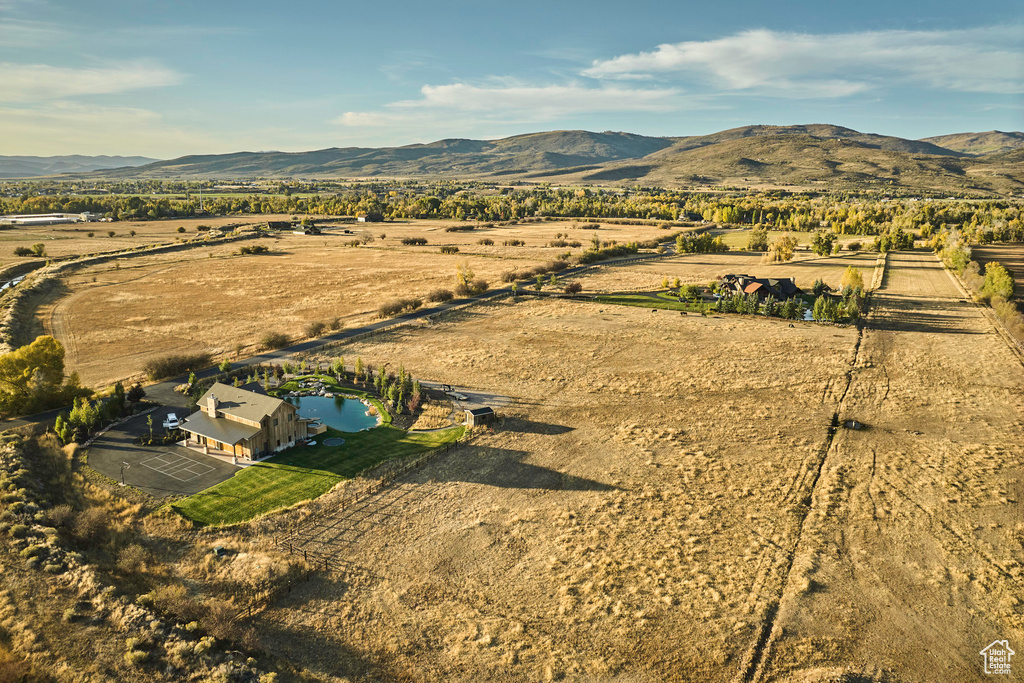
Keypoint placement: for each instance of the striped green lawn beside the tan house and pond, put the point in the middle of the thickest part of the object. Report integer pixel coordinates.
(305, 473)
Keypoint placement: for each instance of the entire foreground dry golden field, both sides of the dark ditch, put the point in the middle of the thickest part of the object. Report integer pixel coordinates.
(667, 501)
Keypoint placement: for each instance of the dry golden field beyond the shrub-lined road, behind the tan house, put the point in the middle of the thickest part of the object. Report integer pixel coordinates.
(114, 317)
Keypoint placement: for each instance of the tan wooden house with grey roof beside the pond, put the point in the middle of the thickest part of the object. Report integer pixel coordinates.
(244, 423)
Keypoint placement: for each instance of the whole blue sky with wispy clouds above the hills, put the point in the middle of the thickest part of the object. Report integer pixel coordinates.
(167, 79)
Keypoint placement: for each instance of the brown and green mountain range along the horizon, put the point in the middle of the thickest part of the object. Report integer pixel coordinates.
(801, 156)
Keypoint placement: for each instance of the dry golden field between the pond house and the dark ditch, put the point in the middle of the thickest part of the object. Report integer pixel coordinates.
(621, 525)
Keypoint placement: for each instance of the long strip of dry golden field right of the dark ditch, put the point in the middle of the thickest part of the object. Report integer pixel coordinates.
(910, 563)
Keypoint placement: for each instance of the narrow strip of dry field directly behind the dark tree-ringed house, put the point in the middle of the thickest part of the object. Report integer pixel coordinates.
(702, 269)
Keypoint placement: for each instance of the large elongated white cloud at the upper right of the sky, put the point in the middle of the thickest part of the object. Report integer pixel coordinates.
(989, 60)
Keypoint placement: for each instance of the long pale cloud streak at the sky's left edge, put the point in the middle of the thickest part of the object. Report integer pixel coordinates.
(27, 83)
